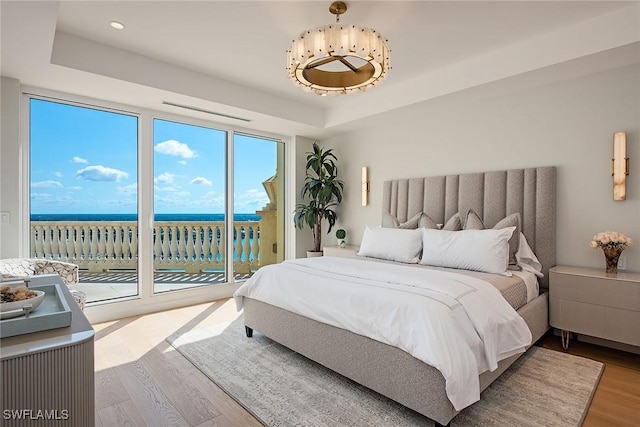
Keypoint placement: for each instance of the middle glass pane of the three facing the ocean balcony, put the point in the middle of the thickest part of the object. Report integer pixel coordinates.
(189, 205)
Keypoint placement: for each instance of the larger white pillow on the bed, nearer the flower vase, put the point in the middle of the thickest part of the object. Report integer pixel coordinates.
(478, 250)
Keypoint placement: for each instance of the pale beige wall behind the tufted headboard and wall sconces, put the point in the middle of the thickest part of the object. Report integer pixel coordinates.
(504, 125)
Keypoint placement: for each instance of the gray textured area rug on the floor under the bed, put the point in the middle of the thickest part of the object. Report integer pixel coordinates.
(281, 388)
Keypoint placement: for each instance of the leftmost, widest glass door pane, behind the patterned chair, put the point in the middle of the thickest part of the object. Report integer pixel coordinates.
(83, 199)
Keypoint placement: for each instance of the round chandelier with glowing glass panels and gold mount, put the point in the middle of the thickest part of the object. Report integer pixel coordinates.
(338, 59)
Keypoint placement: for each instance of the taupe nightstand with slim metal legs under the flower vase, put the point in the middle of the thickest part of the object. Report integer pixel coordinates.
(591, 302)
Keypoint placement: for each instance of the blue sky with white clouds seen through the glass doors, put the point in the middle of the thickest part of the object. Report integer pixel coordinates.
(85, 161)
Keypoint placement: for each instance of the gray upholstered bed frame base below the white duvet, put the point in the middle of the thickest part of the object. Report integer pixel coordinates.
(387, 370)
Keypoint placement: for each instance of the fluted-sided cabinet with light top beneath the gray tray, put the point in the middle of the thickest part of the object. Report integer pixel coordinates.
(48, 376)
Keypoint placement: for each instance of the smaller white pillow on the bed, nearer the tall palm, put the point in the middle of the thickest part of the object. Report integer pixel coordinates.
(394, 244)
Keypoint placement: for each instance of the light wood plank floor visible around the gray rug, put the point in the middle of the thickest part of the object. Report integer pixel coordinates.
(142, 381)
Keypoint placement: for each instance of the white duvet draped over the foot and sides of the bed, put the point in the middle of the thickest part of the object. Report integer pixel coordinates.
(458, 324)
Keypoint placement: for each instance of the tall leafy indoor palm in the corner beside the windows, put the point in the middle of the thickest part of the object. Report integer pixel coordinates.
(321, 193)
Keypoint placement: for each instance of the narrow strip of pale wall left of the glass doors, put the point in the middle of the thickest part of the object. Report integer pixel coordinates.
(10, 167)
